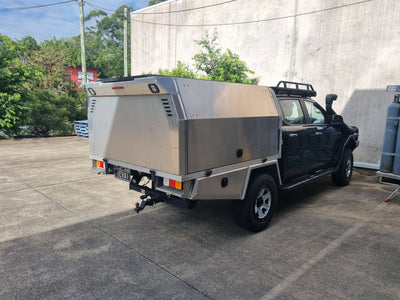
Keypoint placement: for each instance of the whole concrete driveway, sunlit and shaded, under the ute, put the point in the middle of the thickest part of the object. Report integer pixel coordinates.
(66, 232)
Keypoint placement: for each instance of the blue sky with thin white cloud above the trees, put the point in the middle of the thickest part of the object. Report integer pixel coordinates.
(18, 20)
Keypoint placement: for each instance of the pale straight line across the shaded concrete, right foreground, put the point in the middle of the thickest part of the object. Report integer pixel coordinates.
(284, 284)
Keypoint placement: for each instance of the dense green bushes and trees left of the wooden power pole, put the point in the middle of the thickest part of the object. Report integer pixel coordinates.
(35, 95)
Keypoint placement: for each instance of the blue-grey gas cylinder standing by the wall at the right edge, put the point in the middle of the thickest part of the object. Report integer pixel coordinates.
(391, 136)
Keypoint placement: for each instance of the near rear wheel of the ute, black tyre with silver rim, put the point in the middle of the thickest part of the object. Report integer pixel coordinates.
(256, 210)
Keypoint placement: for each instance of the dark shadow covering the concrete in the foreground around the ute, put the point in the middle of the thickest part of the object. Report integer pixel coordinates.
(167, 252)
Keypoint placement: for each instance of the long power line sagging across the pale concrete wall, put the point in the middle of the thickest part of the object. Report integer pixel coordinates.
(254, 21)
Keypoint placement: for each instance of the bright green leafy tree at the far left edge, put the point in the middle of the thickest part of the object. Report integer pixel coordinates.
(13, 92)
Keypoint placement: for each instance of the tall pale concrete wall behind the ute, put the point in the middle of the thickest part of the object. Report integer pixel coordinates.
(347, 47)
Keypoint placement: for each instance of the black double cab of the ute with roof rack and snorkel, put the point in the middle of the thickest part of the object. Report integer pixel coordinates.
(313, 139)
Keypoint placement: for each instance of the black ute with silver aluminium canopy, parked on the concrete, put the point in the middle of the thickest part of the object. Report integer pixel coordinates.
(187, 140)
